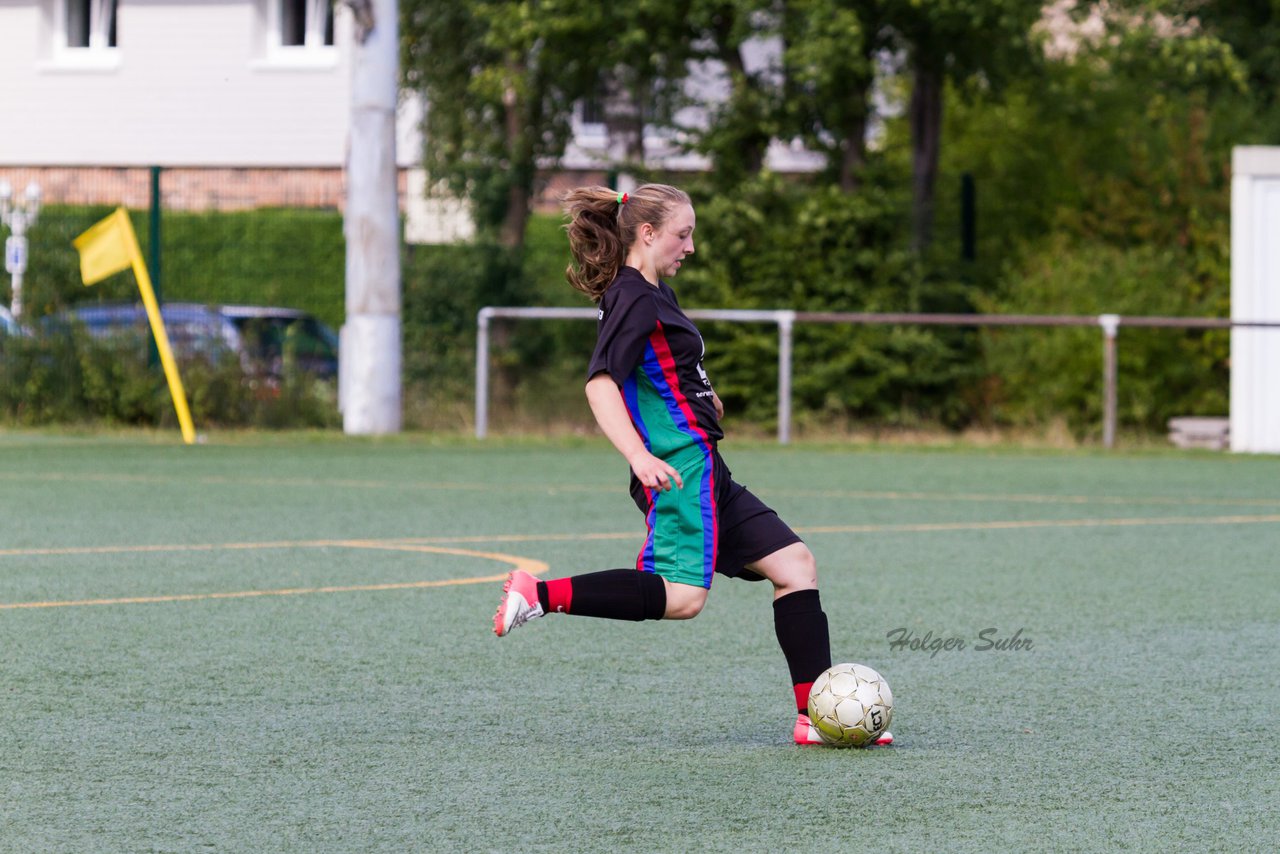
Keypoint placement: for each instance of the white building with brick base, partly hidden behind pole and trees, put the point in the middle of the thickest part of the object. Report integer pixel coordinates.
(244, 103)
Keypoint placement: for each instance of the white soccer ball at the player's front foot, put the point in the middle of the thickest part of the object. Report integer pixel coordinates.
(851, 706)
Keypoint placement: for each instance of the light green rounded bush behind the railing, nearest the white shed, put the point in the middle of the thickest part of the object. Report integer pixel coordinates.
(1045, 376)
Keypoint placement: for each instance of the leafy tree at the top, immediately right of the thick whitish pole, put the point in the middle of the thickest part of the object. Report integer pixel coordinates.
(501, 79)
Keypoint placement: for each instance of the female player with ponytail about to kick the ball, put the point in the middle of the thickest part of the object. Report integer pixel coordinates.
(652, 399)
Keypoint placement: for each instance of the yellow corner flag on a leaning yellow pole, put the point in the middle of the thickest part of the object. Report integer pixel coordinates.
(109, 248)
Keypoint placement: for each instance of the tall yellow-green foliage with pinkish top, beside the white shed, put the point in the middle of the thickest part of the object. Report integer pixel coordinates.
(1126, 141)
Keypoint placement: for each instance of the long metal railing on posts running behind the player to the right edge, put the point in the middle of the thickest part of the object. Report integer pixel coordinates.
(787, 321)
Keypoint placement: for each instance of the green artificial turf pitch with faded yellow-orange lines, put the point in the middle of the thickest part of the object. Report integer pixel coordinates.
(208, 696)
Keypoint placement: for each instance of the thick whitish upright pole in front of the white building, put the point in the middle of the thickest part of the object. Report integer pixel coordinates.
(372, 358)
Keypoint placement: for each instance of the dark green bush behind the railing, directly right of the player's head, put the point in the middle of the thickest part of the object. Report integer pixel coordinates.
(778, 245)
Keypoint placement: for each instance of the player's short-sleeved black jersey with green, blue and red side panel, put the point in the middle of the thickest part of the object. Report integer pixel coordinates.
(655, 354)
